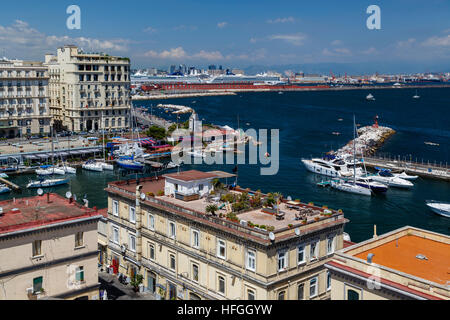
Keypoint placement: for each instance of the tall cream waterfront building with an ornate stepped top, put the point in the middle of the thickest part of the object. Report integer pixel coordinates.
(89, 91)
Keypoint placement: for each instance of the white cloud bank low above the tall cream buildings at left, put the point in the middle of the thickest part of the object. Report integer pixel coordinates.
(22, 41)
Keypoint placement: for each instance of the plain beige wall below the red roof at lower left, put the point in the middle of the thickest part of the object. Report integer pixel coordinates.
(19, 267)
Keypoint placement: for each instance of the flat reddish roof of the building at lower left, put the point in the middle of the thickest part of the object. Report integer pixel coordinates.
(29, 213)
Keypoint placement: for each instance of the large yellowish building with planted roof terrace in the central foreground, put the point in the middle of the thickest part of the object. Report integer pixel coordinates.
(189, 243)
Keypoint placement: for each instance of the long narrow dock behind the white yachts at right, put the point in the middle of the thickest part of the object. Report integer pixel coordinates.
(424, 169)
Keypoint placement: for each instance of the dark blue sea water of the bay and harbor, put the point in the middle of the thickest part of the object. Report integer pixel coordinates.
(306, 121)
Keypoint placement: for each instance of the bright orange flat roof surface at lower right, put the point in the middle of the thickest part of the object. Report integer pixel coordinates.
(402, 257)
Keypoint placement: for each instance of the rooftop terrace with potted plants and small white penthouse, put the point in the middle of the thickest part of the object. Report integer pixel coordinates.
(198, 196)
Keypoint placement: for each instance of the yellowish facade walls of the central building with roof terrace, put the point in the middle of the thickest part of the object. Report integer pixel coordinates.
(266, 281)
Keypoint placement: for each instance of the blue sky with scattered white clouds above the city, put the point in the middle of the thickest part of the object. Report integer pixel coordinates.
(414, 34)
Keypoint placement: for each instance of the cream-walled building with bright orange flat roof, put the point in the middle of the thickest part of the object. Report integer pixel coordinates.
(405, 264)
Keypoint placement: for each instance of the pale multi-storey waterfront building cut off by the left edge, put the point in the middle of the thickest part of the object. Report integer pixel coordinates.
(24, 109)
